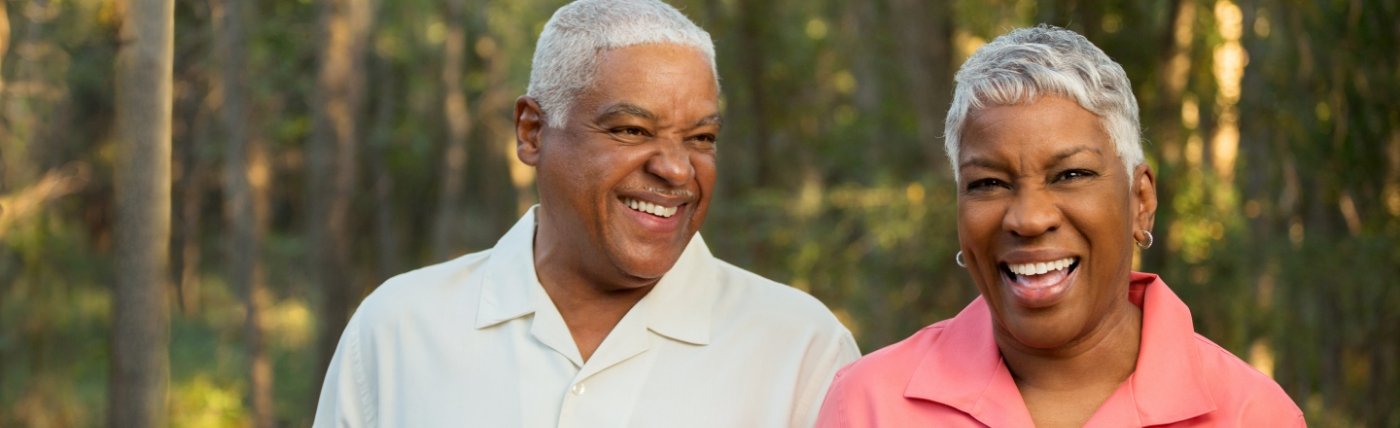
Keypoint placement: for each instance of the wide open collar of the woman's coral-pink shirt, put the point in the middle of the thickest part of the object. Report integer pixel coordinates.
(1168, 383)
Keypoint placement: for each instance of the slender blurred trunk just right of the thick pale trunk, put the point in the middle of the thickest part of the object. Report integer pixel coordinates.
(246, 226)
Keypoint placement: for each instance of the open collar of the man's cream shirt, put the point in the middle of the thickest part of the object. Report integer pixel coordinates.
(680, 307)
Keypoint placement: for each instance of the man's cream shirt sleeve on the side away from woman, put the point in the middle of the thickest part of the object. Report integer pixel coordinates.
(346, 397)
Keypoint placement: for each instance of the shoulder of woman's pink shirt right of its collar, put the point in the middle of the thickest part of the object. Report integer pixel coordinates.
(1241, 387)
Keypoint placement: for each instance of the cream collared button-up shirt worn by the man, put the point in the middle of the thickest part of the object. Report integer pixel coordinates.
(477, 342)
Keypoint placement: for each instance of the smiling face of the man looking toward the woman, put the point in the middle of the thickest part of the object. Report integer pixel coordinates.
(626, 183)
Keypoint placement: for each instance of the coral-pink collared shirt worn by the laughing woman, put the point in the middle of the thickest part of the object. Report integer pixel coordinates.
(951, 376)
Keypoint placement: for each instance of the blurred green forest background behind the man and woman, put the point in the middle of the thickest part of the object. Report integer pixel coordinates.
(324, 146)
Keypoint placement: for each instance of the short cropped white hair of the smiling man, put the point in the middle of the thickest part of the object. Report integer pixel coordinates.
(568, 54)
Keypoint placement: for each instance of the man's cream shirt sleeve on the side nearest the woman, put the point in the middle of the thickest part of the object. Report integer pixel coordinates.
(829, 357)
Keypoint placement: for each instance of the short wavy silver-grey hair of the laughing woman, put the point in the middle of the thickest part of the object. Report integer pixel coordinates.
(1028, 64)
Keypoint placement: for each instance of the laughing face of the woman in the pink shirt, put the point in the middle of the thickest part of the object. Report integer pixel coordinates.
(1046, 220)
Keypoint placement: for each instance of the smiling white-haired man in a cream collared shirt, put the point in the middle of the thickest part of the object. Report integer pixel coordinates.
(603, 307)
